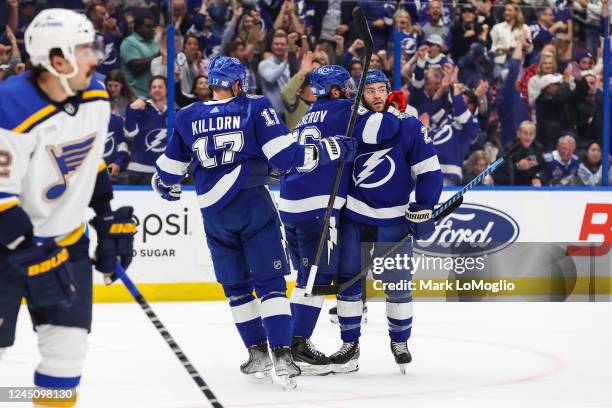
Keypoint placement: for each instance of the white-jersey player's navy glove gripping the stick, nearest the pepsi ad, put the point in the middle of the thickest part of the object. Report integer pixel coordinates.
(115, 241)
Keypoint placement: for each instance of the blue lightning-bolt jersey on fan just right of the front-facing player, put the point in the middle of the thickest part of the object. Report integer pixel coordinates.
(452, 140)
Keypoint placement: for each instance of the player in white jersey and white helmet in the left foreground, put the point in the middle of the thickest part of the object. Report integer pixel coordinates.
(53, 126)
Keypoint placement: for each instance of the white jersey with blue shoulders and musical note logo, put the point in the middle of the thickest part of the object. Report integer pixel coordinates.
(50, 154)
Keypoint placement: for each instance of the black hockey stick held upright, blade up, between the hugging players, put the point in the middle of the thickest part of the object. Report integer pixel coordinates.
(364, 33)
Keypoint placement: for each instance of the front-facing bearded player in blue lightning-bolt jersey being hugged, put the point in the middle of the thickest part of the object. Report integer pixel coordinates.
(378, 209)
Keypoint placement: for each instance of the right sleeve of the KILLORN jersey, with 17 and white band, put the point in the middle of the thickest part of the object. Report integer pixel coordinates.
(278, 143)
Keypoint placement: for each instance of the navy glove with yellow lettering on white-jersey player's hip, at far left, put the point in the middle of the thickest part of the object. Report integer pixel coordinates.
(47, 273)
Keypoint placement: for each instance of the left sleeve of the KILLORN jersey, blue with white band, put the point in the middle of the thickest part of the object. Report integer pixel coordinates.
(173, 164)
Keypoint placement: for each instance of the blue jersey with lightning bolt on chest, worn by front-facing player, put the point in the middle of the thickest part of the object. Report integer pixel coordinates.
(384, 175)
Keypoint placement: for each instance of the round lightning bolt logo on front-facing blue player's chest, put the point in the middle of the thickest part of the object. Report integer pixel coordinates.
(373, 169)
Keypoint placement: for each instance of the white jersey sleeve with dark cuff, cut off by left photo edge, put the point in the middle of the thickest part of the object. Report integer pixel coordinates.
(15, 155)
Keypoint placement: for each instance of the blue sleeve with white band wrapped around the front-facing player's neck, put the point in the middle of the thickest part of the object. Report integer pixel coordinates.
(375, 127)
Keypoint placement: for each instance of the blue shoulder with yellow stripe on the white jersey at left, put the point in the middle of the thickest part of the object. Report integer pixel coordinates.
(21, 104)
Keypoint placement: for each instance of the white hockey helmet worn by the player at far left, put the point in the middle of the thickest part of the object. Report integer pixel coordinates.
(58, 28)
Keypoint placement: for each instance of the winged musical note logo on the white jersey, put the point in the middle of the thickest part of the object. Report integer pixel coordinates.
(67, 159)
